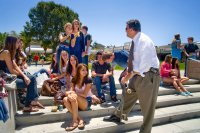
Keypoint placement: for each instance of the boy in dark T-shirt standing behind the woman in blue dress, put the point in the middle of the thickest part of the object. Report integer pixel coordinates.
(87, 42)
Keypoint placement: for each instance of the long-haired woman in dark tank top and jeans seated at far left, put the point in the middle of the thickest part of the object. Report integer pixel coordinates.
(9, 64)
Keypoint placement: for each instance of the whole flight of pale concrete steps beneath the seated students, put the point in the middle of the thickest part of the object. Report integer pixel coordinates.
(170, 108)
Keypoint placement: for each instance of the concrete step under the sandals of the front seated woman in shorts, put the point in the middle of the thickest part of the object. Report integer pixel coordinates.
(97, 125)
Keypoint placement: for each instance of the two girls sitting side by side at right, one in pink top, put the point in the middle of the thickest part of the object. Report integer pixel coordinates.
(170, 74)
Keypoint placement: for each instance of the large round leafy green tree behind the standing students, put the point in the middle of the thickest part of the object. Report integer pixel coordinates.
(47, 20)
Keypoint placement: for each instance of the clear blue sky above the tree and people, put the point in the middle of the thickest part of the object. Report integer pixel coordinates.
(106, 19)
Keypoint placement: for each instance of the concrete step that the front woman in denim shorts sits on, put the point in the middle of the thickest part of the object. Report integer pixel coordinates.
(45, 115)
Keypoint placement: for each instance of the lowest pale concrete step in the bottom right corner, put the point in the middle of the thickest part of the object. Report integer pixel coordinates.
(185, 126)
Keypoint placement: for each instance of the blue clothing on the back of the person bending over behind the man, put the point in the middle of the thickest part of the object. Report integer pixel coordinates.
(121, 58)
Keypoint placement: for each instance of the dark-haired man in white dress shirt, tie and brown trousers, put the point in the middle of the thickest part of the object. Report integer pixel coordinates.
(143, 75)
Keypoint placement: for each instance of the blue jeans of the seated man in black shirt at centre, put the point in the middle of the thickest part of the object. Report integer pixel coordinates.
(98, 80)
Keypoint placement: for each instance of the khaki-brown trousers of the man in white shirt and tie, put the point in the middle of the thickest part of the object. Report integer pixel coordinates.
(144, 89)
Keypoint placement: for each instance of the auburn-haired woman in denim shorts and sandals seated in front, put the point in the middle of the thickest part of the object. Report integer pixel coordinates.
(80, 97)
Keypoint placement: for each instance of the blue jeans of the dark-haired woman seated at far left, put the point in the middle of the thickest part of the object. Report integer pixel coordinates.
(32, 91)
